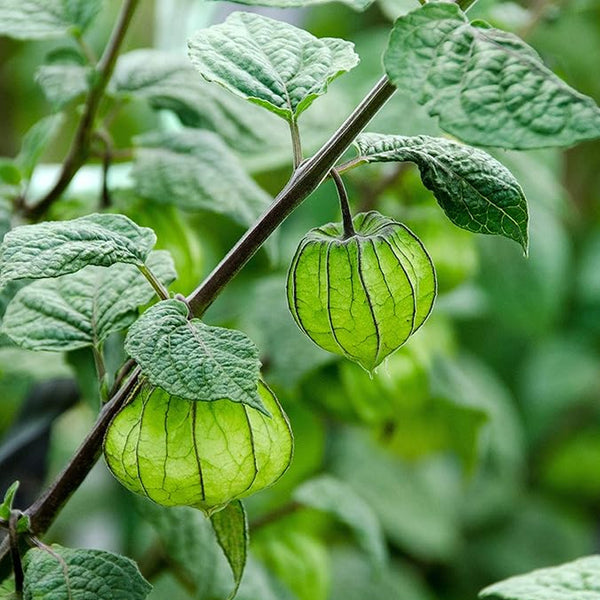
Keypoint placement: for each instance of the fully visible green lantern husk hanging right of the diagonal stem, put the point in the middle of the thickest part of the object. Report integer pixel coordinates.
(361, 296)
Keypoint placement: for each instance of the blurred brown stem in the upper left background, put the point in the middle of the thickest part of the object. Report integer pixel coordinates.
(80, 147)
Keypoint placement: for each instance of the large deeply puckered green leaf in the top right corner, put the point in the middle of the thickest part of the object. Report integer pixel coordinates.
(487, 86)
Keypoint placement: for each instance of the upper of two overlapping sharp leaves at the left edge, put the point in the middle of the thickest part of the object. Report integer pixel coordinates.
(56, 248)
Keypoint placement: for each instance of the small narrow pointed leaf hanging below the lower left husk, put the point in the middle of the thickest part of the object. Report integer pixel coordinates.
(231, 529)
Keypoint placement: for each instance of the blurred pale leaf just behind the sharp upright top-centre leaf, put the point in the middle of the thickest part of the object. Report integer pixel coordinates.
(168, 81)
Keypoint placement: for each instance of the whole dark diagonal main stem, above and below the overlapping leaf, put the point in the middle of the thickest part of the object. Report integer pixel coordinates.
(304, 180)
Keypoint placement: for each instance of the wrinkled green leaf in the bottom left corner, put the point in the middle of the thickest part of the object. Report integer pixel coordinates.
(61, 573)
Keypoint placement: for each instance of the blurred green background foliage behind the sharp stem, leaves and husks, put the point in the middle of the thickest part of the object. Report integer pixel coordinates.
(475, 449)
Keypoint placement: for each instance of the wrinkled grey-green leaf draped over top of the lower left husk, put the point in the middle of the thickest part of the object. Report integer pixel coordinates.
(190, 359)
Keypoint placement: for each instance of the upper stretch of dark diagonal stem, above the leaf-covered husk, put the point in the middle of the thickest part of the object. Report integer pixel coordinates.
(303, 182)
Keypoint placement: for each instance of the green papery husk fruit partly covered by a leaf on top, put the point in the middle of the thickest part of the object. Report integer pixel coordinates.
(179, 452)
